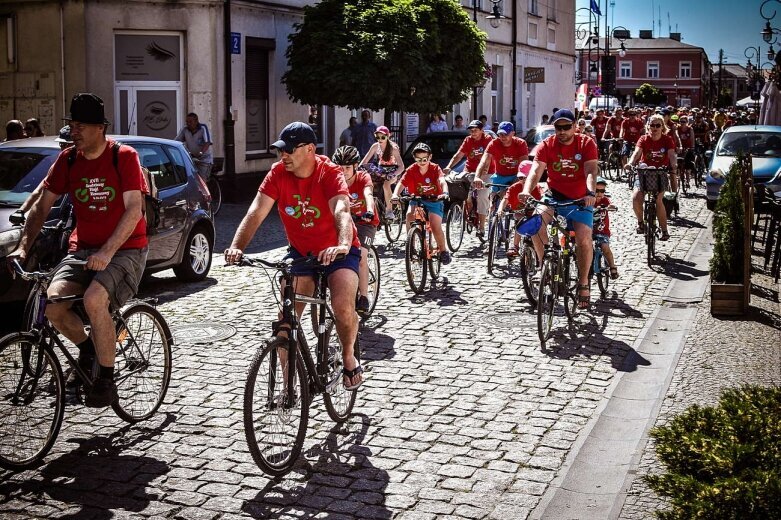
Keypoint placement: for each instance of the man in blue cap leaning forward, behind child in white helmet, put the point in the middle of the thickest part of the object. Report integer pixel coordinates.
(499, 165)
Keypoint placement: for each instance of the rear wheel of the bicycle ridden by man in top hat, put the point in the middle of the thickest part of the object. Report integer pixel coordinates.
(142, 369)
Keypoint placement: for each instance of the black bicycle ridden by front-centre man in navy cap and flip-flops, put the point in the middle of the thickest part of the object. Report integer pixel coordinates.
(277, 394)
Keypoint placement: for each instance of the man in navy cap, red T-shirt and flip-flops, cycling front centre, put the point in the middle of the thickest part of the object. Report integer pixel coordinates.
(313, 203)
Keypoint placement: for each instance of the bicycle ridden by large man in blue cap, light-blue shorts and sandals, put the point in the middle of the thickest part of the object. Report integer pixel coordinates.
(558, 274)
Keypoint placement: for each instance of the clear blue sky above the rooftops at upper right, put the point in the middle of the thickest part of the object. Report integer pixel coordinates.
(711, 24)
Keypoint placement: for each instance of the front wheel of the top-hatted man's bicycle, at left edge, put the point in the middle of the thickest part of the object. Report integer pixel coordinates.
(32, 400)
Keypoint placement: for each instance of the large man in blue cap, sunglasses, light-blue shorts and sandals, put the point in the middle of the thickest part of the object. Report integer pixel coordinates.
(572, 175)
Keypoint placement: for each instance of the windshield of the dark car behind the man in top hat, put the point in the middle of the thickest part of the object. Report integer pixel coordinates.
(20, 173)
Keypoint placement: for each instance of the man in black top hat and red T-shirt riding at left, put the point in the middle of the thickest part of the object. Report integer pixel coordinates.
(110, 236)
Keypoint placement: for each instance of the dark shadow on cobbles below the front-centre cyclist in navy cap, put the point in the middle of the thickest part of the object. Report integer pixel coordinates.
(340, 468)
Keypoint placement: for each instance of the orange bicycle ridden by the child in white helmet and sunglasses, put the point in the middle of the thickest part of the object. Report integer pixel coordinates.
(419, 252)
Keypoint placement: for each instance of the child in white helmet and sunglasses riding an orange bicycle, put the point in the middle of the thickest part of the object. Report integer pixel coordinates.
(426, 179)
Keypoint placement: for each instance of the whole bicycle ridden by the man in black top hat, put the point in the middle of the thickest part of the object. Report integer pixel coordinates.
(32, 383)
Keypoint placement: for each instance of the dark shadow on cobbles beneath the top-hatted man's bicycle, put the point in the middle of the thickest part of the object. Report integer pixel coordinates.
(96, 477)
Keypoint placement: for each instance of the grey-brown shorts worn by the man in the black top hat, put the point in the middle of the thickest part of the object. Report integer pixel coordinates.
(120, 278)
